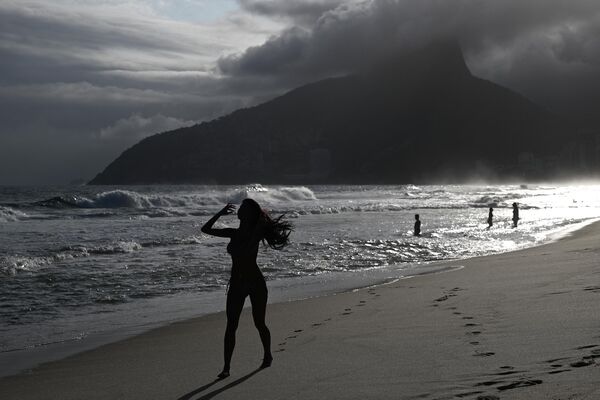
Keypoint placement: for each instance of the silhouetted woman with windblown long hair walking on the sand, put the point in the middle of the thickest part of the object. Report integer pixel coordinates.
(246, 278)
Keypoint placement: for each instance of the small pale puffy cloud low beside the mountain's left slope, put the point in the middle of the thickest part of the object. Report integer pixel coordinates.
(138, 127)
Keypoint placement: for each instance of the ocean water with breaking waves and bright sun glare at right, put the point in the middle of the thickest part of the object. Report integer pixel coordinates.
(78, 261)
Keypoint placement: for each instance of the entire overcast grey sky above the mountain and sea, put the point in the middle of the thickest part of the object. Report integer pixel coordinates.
(82, 80)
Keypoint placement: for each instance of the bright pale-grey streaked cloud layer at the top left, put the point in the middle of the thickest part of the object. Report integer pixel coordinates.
(112, 35)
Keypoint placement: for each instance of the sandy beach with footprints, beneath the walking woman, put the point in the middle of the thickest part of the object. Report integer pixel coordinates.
(520, 325)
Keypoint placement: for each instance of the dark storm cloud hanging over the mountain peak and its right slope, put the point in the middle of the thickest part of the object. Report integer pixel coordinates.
(546, 49)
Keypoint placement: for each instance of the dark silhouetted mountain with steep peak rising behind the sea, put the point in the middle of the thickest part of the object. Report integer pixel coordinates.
(418, 116)
